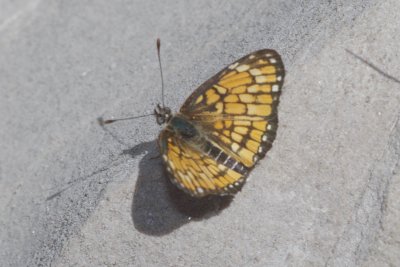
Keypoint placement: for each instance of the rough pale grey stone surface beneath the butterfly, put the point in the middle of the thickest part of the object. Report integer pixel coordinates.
(75, 194)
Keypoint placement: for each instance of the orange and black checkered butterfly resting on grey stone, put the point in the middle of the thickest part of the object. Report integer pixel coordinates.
(225, 126)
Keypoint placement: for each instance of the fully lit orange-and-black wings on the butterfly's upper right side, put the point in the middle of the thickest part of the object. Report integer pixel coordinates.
(237, 107)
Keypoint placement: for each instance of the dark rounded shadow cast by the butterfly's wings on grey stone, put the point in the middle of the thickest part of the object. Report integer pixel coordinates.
(158, 207)
